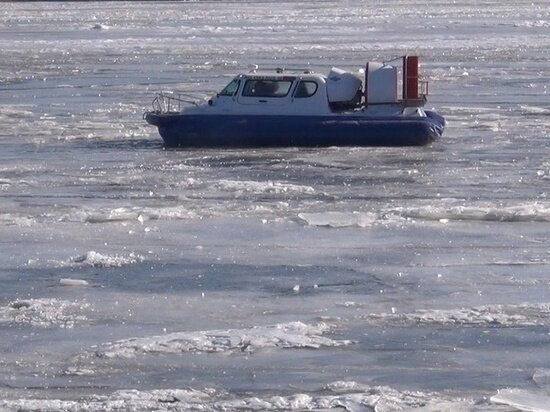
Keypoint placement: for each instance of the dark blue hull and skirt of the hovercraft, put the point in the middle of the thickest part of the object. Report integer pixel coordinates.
(179, 130)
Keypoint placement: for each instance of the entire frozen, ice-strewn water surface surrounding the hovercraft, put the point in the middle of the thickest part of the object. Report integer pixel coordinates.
(360, 279)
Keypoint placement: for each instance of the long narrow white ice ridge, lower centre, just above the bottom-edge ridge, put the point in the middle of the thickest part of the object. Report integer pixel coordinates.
(285, 335)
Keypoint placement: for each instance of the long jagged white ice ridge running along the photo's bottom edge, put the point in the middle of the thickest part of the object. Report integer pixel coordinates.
(354, 398)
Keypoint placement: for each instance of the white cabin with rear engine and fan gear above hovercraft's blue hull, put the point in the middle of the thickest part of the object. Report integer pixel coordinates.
(304, 92)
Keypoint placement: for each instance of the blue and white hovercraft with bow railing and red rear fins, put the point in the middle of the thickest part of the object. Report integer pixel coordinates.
(380, 105)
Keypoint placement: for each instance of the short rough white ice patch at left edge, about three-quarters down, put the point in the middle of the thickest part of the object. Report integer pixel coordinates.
(44, 312)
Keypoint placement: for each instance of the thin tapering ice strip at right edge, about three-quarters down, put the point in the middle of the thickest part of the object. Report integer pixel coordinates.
(488, 315)
